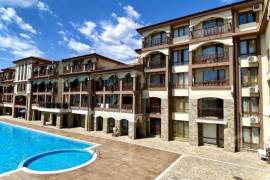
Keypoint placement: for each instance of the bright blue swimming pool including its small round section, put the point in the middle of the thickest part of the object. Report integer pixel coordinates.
(38, 151)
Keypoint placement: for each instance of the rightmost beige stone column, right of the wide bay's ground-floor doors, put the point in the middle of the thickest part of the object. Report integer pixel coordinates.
(229, 129)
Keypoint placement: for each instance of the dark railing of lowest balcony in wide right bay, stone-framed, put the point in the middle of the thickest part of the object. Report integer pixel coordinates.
(216, 113)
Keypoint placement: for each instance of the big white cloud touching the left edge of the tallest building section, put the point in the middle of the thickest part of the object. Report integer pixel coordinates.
(115, 39)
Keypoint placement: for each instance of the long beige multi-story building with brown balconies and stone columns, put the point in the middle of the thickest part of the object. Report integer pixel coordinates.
(201, 78)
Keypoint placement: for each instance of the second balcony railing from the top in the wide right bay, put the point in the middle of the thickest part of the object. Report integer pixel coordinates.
(214, 58)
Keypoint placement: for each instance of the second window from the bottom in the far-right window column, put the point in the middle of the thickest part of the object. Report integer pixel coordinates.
(250, 106)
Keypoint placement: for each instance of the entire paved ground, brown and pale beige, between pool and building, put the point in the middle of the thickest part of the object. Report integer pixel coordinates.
(150, 158)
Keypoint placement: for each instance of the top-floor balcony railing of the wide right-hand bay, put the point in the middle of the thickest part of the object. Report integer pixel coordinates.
(199, 33)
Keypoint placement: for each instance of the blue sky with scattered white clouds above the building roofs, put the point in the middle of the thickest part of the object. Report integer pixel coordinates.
(58, 29)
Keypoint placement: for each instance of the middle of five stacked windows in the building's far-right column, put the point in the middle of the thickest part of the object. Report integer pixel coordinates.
(249, 76)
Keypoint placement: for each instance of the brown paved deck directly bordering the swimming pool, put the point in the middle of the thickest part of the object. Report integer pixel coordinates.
(117, 160)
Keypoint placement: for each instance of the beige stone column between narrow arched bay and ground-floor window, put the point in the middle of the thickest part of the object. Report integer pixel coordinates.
(164, 119)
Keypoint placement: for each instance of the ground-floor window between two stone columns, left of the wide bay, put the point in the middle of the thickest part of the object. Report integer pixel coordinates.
(180, 129)
